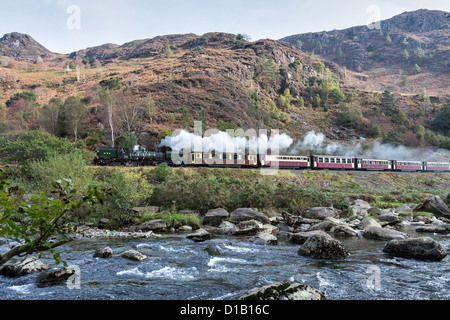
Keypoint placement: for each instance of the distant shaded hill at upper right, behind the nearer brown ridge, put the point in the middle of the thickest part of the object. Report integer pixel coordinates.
(385, 57)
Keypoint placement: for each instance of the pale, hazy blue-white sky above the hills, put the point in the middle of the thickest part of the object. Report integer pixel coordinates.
(64, 26)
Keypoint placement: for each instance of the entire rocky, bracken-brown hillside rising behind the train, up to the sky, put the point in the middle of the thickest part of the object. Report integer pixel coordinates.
(226, 81)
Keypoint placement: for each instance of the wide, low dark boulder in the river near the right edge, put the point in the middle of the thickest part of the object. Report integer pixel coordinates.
(416, 248)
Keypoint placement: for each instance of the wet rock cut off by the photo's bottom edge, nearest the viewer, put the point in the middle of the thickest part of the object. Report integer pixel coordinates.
(283, 291)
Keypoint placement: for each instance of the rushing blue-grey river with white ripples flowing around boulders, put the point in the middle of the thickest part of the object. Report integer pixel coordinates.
(179, 269)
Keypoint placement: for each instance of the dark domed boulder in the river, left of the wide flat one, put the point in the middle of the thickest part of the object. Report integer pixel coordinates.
(323, 247)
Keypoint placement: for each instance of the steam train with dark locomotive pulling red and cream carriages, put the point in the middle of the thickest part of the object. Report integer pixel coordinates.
(140, 157)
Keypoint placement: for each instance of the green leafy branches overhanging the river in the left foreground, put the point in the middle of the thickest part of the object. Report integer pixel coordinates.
(45, 218)
